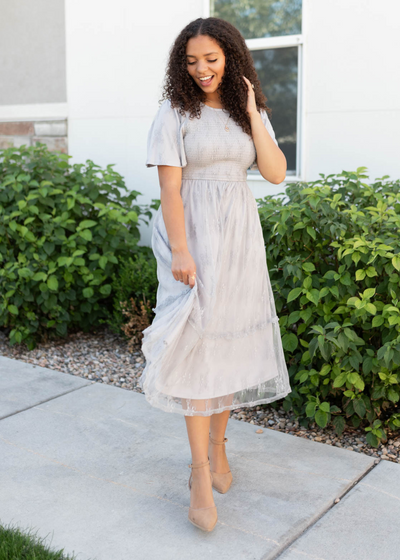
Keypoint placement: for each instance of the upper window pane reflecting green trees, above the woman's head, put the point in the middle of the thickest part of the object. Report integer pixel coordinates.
(260, 18)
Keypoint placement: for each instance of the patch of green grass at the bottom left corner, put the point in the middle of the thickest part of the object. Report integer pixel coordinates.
(16, 544)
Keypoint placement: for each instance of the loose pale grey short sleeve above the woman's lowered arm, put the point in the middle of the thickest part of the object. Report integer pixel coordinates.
(165, 138)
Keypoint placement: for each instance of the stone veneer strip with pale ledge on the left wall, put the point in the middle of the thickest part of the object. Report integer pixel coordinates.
(52, 133)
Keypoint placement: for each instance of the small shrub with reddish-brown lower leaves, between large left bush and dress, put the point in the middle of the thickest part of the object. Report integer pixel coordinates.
(134, 290)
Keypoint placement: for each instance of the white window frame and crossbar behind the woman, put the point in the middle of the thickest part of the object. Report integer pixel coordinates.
(279, 42)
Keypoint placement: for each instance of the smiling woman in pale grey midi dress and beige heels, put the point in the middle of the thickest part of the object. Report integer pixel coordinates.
(214, 344)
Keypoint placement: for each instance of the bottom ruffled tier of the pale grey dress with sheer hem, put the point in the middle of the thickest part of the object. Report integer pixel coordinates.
(251, 373)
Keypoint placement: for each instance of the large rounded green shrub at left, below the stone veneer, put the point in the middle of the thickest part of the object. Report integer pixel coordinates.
(63, 230)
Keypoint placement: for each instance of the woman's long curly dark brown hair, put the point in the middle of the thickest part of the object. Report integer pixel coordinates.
(183, 92)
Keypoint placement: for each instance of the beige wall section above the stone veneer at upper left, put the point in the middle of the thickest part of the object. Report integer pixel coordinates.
(32, 55)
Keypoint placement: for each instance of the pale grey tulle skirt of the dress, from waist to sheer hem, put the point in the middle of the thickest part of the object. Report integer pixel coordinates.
(216, 346)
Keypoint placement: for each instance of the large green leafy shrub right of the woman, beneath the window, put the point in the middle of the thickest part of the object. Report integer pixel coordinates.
(333, 254)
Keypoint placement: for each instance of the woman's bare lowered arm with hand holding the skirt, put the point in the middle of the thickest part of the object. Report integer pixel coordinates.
(183, 265)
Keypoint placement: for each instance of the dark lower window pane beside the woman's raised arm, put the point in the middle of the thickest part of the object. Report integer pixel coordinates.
(277, 70)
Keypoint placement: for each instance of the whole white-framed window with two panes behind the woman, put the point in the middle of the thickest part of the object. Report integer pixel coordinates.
(273, 32)
